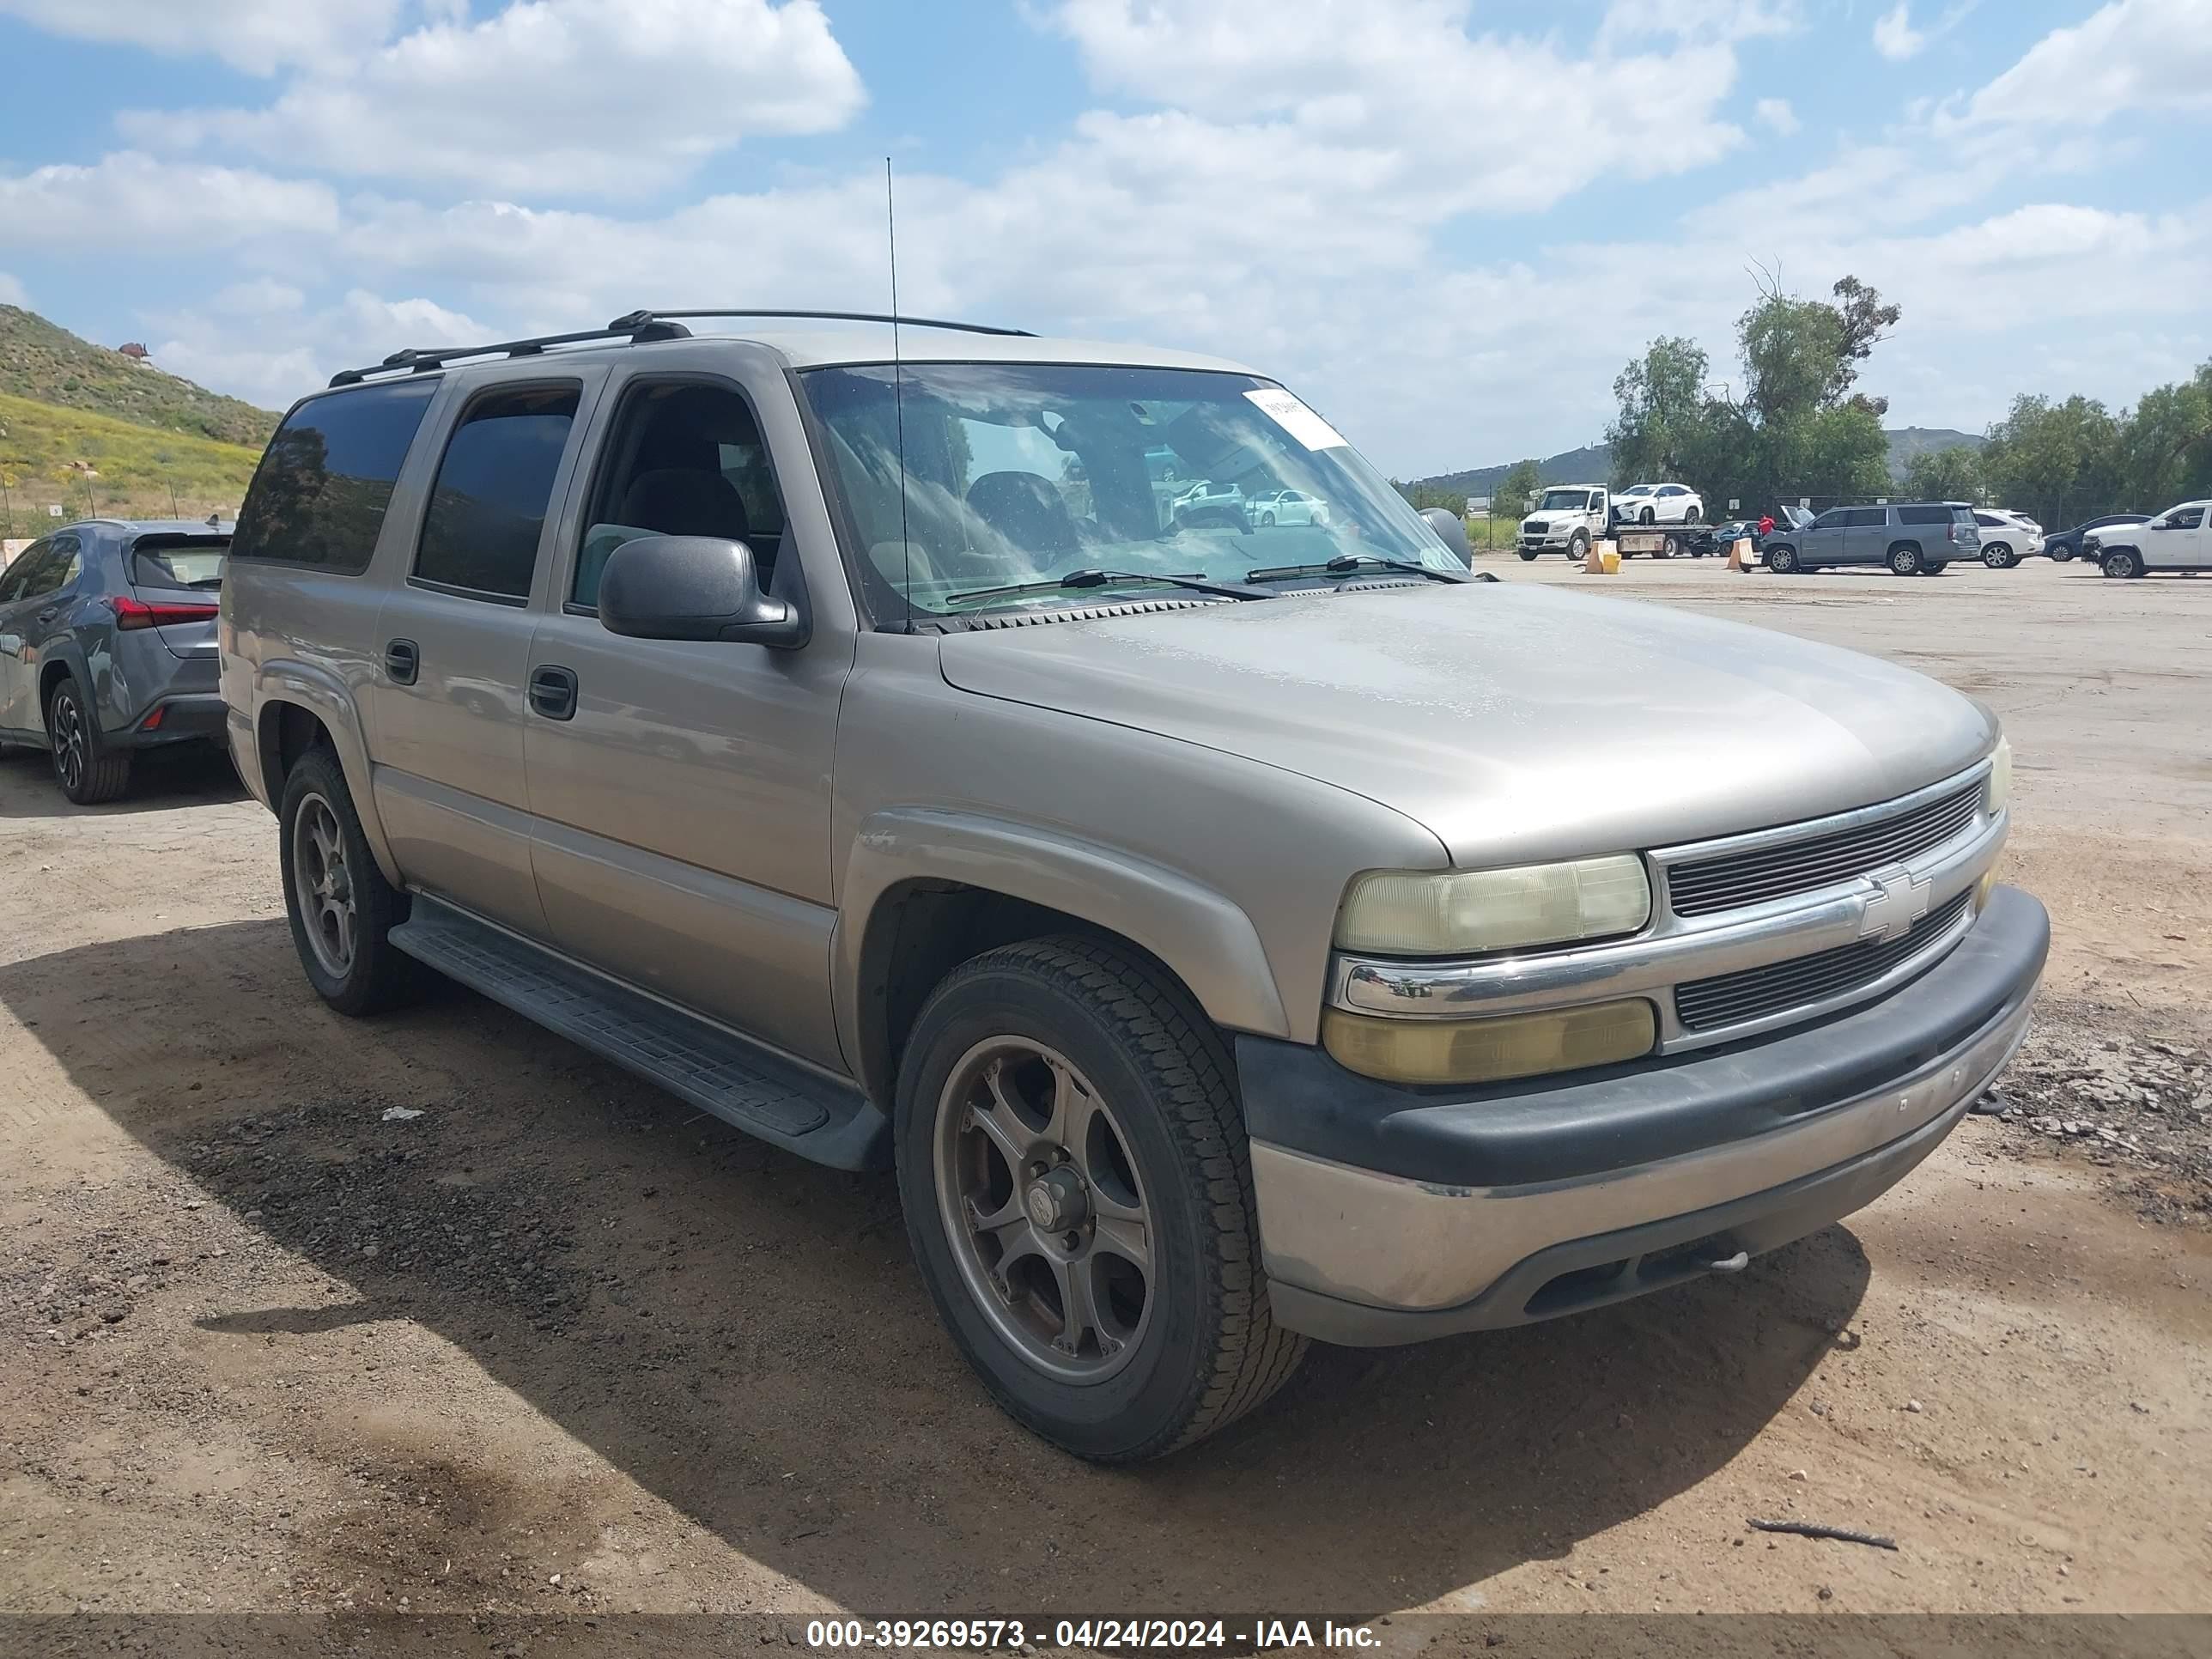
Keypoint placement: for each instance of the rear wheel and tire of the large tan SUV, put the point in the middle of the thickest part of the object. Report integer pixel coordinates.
(340, 904)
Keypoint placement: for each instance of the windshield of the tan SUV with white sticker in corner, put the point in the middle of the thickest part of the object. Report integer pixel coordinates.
(1030, 472)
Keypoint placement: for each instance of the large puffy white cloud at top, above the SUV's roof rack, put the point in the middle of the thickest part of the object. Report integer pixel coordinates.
(550, 96)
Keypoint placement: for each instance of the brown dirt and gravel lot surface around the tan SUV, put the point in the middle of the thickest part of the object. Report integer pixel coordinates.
(559, 1344)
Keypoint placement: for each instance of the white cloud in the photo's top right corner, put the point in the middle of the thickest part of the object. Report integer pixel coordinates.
(2131, 54)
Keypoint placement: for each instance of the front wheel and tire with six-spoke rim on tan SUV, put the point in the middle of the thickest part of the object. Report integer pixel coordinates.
(1078, 1187)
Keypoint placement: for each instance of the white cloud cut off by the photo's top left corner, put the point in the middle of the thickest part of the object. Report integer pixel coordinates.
(255, 36)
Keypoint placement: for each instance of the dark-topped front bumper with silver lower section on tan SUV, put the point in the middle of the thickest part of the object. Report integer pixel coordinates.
(1373, 1258)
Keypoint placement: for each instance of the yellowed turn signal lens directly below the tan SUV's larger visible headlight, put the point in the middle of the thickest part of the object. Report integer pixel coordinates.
(1483, 1052)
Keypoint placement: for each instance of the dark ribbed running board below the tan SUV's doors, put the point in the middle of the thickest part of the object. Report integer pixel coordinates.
(713, 1070)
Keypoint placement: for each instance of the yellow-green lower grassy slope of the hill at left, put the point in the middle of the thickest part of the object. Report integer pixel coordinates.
(90, 466)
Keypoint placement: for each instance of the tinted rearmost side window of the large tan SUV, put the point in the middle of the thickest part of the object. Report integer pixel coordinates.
(322, 490)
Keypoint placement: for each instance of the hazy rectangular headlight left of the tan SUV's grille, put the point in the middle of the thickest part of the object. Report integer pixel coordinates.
(1461, 912)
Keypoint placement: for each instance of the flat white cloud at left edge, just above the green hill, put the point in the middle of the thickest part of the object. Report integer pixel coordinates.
(132, 198)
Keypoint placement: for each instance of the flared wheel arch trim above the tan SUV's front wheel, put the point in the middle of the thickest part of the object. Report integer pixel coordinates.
(1200, 935)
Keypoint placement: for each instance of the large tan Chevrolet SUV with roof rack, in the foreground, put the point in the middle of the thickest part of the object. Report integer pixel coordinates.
(1224, 954)
